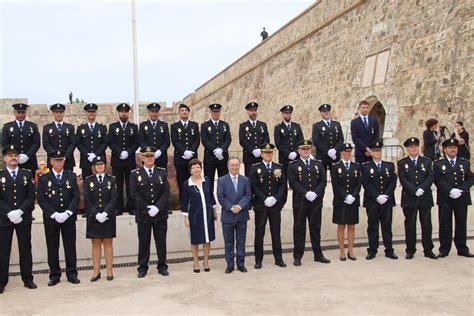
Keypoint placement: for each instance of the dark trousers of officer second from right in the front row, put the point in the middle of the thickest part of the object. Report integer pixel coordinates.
(410, 229)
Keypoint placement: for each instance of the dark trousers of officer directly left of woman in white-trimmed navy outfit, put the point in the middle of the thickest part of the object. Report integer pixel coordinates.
(159, 229)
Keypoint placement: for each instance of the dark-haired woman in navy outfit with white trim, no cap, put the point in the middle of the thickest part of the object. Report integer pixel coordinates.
(197, 203)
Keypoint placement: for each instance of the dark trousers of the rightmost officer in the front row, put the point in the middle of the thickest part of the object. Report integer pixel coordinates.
(446, 228)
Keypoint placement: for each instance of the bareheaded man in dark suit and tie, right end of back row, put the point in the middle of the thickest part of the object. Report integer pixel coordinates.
(364, 131)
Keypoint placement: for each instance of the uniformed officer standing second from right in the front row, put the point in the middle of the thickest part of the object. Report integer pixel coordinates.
(416, 176)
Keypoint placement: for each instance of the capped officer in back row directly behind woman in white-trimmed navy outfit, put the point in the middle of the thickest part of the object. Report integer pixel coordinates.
(186, 139)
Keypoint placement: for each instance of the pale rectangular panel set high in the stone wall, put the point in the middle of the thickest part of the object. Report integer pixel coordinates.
(375, 69)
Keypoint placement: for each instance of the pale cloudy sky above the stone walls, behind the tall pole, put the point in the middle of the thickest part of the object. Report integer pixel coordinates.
(50, 48)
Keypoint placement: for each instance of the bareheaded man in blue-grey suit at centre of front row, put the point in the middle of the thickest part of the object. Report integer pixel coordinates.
(234, 195)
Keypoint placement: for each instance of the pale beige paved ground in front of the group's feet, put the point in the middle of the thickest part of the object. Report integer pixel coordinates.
(423, 286)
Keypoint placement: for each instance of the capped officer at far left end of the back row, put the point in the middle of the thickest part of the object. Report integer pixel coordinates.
(23, 134)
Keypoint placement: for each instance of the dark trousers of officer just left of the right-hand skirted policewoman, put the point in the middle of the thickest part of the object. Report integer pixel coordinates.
(300, 214)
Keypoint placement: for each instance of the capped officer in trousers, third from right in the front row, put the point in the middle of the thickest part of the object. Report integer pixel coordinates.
(379, 180)
